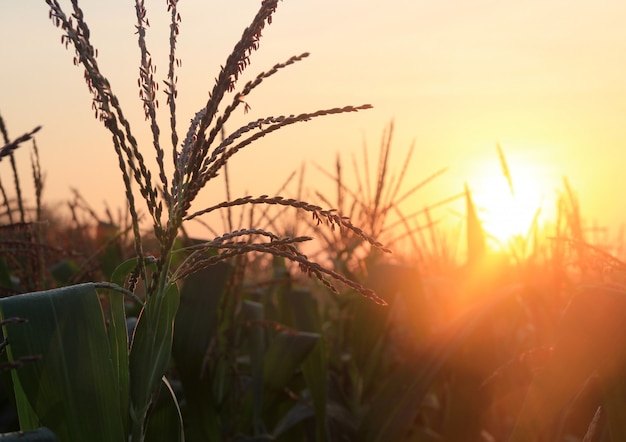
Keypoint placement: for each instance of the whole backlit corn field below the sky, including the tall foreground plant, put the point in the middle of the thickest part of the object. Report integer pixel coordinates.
(126, 328)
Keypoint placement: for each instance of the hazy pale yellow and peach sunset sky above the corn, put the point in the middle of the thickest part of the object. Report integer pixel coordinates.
(545, 79)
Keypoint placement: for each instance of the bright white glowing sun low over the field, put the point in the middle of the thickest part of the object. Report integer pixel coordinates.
(510, 202)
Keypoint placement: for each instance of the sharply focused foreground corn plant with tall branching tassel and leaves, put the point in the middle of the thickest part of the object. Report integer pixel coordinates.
(136, 376)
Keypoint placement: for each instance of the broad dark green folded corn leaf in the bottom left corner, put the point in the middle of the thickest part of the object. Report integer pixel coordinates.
(73, 388)
